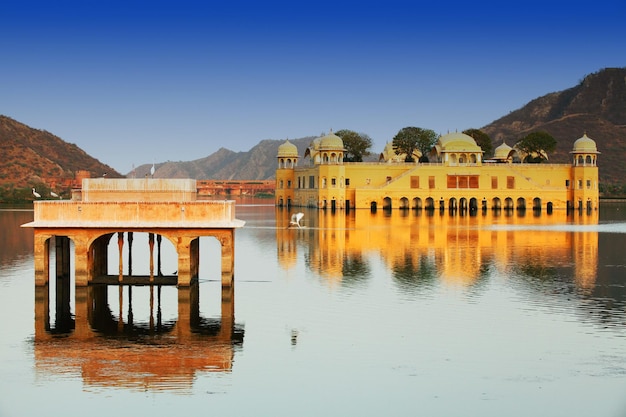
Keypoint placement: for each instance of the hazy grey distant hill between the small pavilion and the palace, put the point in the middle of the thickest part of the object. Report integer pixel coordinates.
(259, 163)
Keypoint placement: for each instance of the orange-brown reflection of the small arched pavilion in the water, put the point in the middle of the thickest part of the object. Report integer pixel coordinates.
(110, 346)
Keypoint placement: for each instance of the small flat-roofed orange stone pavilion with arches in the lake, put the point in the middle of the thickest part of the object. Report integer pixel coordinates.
(106, 209)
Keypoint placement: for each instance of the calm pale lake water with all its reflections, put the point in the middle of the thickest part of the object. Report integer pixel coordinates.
(359, 314)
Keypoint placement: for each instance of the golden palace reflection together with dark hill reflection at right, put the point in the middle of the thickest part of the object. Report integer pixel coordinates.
(557, 252)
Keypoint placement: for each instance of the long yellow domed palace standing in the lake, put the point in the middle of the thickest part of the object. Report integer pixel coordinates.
(459, 178)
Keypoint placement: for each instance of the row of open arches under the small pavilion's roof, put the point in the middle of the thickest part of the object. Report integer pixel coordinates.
(111, 254)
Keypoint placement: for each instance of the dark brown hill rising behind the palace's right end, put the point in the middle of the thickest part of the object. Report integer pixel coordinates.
(597, 106)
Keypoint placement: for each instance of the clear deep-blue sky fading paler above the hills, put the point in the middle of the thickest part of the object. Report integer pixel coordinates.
(133, 82)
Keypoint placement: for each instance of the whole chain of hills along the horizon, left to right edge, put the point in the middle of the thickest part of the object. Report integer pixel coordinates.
(596, 106)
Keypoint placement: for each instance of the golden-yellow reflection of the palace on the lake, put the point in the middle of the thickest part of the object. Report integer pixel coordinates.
(454, 248)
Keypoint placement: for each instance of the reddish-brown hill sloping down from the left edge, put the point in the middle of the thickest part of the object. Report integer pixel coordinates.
(31, 157)
